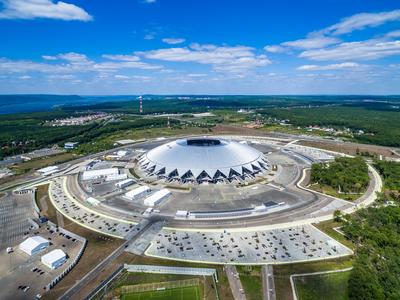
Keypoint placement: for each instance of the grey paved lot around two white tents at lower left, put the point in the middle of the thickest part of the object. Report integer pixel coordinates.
(18, 270)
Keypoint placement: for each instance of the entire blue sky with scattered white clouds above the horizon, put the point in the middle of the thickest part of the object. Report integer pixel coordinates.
(200, 47)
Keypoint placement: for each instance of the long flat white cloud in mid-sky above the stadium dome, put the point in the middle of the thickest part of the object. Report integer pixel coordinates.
(224, 58)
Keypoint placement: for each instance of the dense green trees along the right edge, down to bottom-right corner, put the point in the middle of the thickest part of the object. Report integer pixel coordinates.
(376, 234)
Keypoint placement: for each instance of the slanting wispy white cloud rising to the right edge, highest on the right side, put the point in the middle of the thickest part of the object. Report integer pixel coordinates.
(362, 21)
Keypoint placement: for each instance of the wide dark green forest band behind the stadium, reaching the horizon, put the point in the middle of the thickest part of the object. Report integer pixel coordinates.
(378, 116)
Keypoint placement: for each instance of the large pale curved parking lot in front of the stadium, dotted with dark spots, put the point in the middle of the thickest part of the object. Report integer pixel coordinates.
(285, 245)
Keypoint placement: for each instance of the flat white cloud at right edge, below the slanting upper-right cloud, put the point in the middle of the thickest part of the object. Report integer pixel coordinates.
(362, 50)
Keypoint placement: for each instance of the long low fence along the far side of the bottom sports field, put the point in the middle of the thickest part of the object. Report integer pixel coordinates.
(146, 287)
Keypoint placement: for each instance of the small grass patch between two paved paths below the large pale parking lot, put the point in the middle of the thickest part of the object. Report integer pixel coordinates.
(250, 276)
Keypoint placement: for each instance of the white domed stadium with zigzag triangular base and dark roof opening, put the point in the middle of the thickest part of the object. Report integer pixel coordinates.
(203, 160)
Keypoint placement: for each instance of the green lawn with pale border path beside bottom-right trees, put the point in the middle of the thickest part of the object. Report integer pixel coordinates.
(332, 286)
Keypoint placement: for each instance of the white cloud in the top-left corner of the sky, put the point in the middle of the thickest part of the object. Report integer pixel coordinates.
(31, 9)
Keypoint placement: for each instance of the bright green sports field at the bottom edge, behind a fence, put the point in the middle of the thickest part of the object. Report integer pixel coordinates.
(184, 293)
